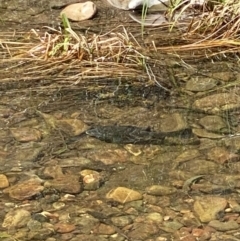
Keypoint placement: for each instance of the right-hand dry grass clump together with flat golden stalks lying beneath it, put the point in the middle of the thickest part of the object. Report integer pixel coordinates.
(212, 30)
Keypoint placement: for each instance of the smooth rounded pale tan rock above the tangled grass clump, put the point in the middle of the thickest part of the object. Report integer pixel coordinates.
(80, 11)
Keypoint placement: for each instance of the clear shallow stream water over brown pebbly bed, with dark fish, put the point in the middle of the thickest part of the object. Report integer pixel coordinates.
(58, 163)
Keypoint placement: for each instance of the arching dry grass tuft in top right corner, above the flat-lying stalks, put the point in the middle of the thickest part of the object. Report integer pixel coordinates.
(214, 19)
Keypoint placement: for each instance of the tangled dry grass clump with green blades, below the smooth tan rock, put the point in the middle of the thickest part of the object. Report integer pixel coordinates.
(115, 46)
